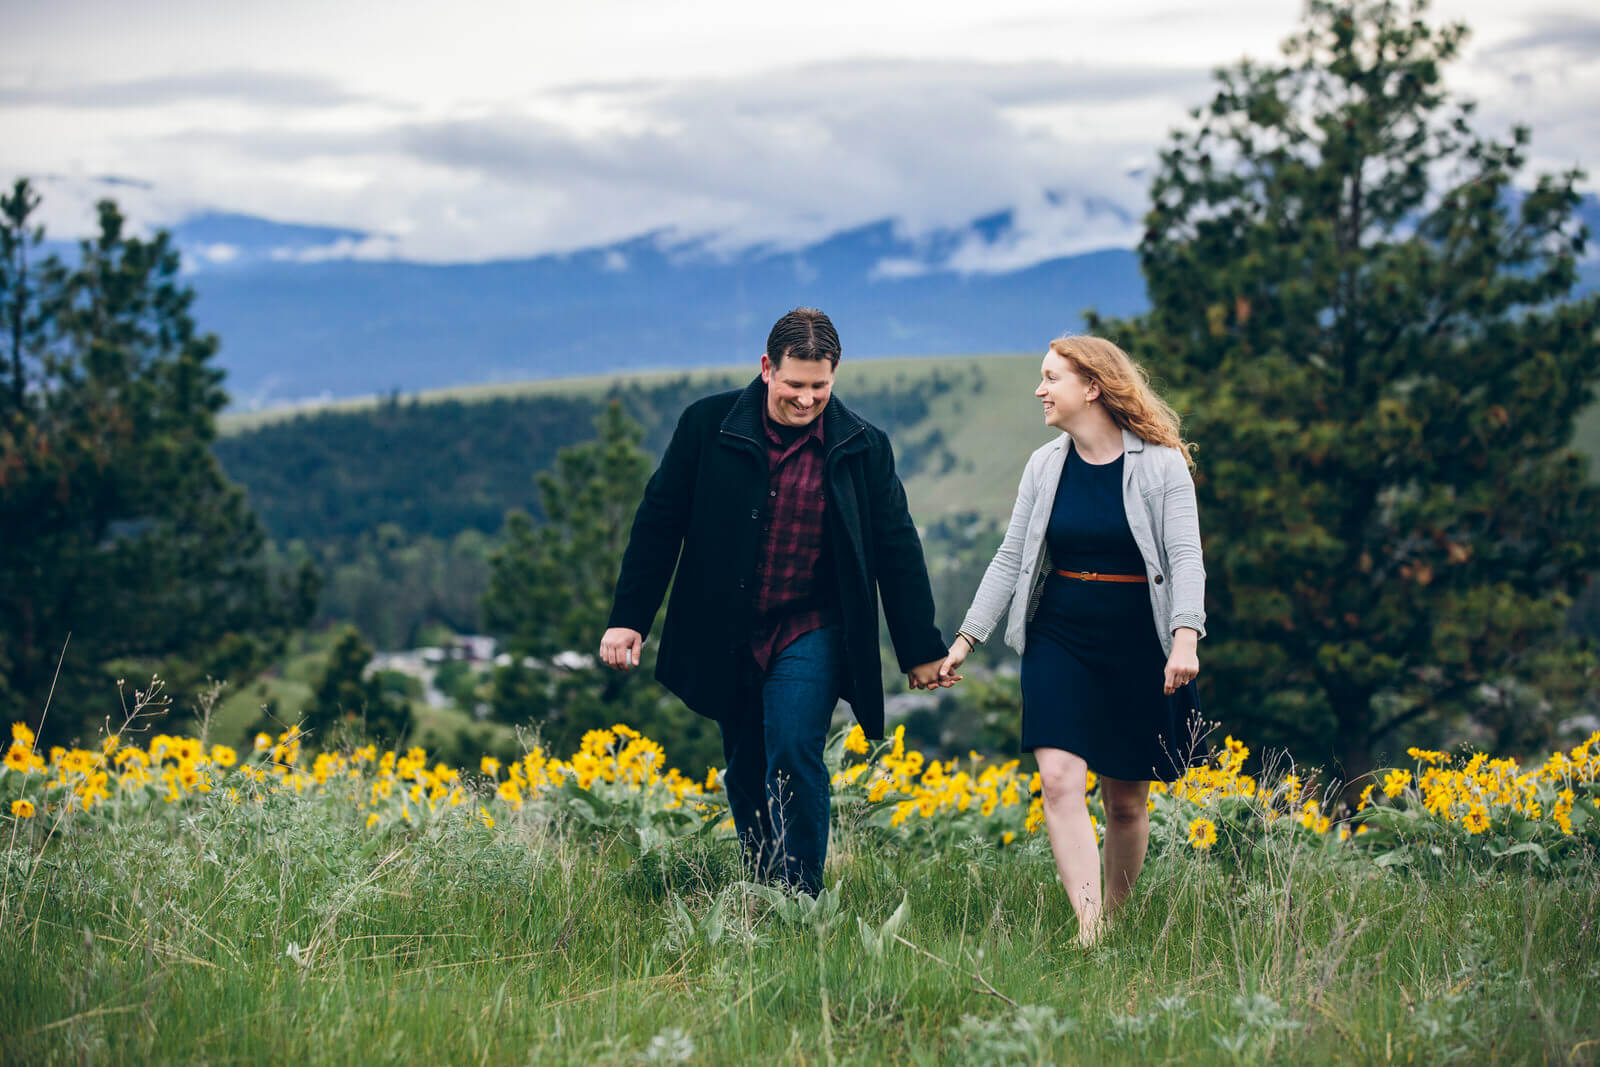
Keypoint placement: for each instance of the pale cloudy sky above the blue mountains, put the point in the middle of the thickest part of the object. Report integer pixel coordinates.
(510, 127)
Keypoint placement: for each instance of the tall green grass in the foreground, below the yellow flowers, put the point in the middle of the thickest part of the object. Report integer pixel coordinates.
(290, 933)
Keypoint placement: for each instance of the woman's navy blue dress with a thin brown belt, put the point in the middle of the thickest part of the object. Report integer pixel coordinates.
(1094, 665)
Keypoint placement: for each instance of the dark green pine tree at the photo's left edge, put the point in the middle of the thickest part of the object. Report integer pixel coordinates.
(126, 548)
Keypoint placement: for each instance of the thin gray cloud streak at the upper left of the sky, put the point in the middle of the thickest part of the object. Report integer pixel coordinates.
(249, 87)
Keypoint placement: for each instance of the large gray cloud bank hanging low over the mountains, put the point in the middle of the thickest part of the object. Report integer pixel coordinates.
(783, 159)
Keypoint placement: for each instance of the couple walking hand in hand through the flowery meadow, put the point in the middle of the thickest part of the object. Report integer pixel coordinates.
(782, 516)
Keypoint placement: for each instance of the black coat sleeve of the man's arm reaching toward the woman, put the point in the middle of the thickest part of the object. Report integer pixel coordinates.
(902, 569)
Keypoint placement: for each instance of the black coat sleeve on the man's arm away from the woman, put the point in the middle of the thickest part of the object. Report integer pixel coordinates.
(657, 538)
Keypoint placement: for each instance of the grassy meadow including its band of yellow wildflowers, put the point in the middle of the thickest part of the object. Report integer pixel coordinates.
(362, 908)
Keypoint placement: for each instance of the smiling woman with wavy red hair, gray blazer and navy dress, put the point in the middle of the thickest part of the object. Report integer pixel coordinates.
(1103, 578)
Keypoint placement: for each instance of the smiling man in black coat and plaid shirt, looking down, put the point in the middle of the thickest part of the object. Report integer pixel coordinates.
(782, 513)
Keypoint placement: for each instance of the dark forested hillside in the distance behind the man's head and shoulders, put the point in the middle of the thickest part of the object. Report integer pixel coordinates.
(401, 505)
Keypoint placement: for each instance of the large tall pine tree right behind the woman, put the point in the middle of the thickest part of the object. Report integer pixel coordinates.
(1366, 311)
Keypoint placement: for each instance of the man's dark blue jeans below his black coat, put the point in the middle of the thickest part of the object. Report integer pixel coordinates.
(778, 786)
